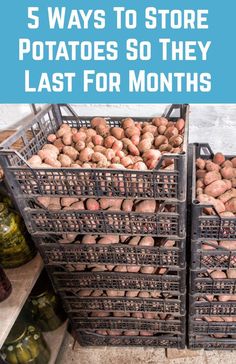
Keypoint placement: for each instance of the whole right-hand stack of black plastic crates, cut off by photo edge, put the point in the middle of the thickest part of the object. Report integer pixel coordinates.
(212, 300)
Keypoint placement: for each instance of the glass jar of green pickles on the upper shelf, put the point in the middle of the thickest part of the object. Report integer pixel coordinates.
(14, 249)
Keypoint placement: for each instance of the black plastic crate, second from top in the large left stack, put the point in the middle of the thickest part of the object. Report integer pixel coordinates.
(40, 221)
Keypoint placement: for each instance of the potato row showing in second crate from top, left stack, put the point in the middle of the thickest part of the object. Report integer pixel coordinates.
(91, 204)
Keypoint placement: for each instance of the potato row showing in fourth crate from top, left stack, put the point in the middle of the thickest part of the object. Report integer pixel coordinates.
(115, 268)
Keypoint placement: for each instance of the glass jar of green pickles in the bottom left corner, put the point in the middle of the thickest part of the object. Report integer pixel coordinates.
(25, 345)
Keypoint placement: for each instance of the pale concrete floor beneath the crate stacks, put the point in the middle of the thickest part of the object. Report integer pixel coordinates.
(140, 355)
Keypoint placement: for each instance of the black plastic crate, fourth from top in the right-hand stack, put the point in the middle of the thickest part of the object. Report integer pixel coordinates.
(210, 308)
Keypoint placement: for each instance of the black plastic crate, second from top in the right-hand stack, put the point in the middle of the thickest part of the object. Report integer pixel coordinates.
(219, 258)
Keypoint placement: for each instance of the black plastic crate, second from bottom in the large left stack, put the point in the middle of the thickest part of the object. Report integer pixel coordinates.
(174, 326)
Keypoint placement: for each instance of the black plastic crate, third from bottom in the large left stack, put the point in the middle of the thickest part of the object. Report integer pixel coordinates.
(74, 303)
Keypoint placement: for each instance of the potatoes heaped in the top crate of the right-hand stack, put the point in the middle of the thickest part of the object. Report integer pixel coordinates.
(216, 184)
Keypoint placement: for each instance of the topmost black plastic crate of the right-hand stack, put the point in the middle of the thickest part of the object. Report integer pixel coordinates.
(204, 226)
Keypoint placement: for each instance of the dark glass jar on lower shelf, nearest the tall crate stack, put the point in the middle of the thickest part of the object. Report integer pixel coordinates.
(45, 306)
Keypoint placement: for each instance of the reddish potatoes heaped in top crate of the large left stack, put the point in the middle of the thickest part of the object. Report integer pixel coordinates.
(134, 145)
